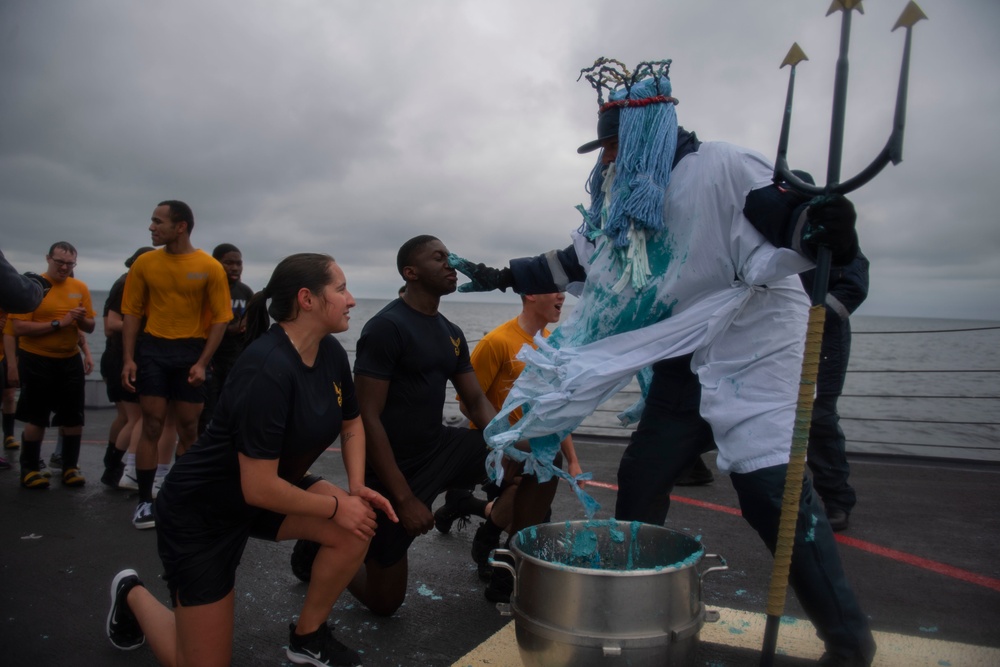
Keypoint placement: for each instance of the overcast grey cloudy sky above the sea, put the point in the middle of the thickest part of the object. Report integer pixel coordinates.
(348, 127)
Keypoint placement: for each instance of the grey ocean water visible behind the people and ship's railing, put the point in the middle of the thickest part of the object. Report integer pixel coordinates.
(915, 386)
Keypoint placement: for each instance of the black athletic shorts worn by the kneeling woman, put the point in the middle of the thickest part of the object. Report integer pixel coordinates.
(200, 555)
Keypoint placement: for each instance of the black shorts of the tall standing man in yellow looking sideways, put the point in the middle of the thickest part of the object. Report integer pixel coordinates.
(163, 367)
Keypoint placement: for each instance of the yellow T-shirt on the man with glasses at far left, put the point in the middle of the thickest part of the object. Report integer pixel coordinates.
(64, 342)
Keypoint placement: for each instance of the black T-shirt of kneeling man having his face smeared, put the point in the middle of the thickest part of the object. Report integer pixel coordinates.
(417, 354)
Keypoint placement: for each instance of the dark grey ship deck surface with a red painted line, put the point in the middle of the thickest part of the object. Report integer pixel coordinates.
(921, 553)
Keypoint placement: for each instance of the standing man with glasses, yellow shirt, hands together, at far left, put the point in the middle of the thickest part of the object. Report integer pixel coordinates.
(50, 368)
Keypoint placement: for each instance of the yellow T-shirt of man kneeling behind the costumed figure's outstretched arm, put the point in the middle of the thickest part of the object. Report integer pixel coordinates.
(495, 364)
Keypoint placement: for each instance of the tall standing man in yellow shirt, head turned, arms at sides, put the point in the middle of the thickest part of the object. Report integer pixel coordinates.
(183, 293)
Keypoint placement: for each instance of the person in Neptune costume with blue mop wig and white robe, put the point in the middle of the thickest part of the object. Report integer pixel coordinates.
(688, 254)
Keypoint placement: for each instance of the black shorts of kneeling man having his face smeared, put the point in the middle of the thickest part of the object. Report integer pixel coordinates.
(457, 460)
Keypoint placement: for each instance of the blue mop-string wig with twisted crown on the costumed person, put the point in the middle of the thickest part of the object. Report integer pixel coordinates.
(647, 140)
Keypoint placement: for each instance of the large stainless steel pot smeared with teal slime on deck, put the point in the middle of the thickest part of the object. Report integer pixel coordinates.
(606, 593)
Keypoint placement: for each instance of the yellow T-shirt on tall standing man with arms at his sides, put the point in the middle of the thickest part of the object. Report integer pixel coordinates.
(180, 295)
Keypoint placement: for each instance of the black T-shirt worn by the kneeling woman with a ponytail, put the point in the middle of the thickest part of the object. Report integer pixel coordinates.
(273, 406)
